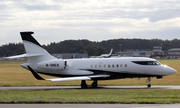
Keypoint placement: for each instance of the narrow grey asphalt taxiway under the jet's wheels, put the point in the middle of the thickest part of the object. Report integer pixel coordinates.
(78, 87)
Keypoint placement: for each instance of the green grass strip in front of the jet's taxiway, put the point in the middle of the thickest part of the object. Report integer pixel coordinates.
(91, 96)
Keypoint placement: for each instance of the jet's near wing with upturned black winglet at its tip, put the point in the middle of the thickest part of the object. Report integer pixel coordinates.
(37, 76)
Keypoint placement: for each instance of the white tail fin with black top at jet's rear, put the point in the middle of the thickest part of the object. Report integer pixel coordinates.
(34, 51)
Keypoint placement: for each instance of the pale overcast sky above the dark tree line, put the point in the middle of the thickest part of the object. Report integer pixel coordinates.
(95, 20)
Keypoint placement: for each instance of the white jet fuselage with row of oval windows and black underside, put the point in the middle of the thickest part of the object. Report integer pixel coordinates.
(80, 67)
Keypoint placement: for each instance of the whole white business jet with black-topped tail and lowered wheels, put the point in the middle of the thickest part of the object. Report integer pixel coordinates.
(41, 62)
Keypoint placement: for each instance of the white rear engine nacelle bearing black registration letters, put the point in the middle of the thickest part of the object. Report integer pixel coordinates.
(52, 65)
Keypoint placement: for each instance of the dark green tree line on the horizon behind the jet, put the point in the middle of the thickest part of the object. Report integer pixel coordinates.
(91, 47)
